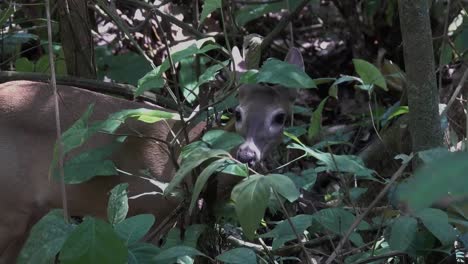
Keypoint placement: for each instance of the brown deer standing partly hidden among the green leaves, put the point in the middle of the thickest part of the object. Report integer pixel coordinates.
(27, 138)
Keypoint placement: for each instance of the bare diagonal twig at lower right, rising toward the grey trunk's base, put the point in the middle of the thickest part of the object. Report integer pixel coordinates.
(359, 218)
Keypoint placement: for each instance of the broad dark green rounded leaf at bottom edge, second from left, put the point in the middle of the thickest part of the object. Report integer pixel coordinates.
(93, 241)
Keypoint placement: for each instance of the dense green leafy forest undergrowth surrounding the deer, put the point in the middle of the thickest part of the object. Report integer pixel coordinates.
(372, 166)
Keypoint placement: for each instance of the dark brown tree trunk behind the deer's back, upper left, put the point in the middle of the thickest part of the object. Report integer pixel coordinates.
(77, 42)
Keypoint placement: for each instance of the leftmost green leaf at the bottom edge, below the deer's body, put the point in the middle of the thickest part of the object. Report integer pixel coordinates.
(45, 239)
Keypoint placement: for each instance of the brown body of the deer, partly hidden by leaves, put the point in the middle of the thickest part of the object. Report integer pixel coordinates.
(27, 137)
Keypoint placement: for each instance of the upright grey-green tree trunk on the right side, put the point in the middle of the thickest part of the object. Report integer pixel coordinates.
(423, 99)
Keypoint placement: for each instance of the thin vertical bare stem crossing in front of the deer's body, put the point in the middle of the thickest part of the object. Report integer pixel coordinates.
(58, 130)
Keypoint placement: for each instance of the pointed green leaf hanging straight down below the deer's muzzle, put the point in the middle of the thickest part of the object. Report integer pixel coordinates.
(251, 199)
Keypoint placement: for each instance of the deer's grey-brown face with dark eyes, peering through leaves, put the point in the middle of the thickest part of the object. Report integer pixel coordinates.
(262, 113)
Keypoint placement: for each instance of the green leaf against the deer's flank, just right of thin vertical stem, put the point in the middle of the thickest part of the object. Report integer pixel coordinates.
(86, 165)
